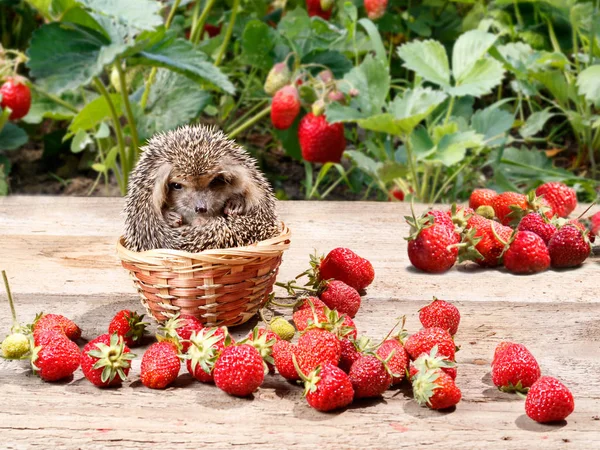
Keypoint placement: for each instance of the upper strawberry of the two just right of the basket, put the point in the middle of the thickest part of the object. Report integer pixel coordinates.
(343, 264)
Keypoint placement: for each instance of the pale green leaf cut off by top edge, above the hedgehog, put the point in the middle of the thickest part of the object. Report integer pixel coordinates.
(140, 14)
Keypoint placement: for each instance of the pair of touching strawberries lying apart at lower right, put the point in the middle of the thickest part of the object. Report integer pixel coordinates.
(515, 369)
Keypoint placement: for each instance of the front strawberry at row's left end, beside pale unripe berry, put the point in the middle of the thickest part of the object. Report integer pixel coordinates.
(54, 356)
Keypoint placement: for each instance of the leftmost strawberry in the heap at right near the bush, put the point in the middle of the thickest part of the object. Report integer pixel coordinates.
(431, 245)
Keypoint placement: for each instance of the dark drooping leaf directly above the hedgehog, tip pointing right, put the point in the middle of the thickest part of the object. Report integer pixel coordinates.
(180, 56)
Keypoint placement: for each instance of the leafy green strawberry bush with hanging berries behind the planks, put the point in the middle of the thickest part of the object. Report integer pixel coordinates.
(388, 100)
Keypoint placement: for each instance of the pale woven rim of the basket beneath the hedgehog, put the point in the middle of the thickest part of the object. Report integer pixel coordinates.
(272, 246)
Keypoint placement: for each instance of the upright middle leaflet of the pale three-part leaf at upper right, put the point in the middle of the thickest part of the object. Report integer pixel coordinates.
(469, 48)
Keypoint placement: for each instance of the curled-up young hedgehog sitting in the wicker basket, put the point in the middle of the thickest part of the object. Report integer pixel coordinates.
(194, 189)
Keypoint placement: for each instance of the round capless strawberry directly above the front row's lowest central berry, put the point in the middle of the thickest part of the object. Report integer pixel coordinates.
(317, 346)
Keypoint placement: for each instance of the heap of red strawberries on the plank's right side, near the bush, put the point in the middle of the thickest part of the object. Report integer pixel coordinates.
(525, 233)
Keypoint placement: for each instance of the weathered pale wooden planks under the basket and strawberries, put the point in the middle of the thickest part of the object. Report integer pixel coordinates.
(59, 254)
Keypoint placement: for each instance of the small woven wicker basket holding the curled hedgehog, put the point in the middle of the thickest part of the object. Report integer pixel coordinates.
(219, 287)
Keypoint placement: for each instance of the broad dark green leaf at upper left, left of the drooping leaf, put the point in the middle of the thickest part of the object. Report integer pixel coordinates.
(65, 57)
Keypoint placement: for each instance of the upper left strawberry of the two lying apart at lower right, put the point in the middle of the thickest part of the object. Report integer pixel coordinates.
(515, 369)
